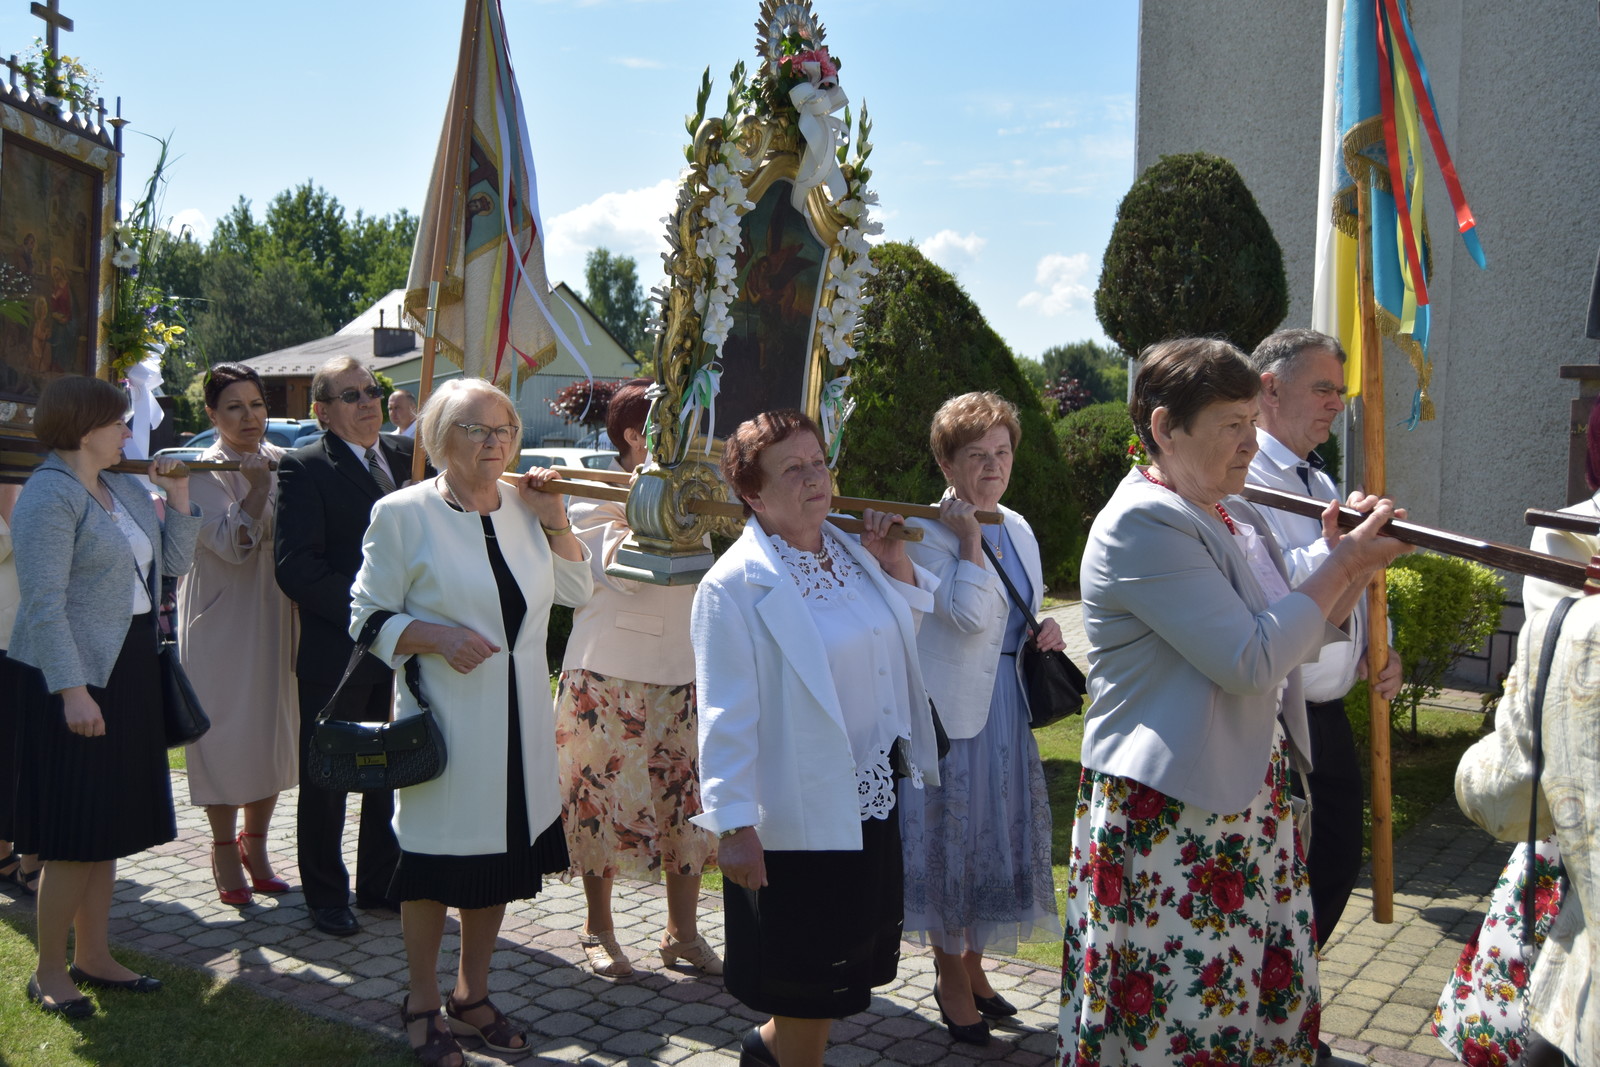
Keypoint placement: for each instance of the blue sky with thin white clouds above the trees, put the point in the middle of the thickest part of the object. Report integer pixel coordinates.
(1004, 130)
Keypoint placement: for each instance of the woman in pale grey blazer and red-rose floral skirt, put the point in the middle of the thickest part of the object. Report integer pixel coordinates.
(1188, 919)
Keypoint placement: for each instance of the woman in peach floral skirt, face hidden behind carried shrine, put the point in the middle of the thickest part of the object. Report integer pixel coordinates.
(626, 732)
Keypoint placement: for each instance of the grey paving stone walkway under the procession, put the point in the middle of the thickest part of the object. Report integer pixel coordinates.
(1380, 983)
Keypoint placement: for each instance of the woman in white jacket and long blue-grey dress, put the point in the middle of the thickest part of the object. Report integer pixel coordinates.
(977, 847)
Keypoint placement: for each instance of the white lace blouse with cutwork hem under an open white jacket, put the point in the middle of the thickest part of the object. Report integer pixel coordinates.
(868, 658)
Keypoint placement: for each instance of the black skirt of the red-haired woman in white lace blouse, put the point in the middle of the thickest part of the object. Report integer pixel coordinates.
(825, 930)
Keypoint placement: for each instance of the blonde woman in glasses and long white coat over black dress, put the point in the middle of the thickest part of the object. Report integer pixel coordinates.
(471, 567)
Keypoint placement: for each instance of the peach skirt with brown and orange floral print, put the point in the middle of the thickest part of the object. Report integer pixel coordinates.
(630, 778)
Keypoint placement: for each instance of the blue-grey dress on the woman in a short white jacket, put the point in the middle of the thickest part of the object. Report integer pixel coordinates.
(977, 847)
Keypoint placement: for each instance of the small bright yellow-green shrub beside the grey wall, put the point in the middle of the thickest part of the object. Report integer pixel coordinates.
(1442, 610)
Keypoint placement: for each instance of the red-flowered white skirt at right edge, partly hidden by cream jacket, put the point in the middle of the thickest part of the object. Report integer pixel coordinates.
(1479, 1017)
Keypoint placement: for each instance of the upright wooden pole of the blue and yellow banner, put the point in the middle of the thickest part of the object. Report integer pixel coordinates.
(1378, 591)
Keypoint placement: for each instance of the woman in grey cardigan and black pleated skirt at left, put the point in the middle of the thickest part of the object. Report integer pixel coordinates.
(90, 559)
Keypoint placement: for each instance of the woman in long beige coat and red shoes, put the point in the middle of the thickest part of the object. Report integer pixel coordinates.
(236, 637)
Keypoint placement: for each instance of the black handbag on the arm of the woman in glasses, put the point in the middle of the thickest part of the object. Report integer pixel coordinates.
(375, 757)
